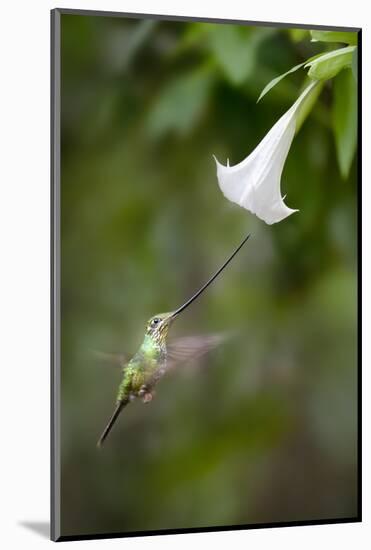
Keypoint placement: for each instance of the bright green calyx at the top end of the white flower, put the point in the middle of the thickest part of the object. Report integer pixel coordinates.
(330, 64)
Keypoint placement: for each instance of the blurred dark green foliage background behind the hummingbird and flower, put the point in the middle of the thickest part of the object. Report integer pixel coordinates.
(265, 428)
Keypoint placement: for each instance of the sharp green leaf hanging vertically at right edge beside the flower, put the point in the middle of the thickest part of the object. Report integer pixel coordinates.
(345, 119)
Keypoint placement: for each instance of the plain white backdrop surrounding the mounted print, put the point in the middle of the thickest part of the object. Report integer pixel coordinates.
(24, 272)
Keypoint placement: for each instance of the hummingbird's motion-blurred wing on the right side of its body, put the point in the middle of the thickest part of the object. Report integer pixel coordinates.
(190, 348)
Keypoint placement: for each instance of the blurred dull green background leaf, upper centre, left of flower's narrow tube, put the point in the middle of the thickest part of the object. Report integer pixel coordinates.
(180, 103)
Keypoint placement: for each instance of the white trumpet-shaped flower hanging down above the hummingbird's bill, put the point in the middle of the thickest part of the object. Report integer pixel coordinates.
(255, 182)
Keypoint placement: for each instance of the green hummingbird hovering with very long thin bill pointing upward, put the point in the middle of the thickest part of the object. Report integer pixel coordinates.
(156, 356)
